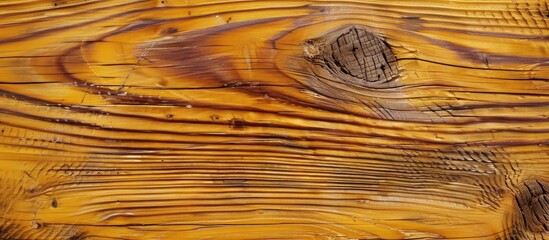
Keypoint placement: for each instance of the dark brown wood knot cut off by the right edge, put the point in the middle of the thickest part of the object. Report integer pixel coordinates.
(531, 215)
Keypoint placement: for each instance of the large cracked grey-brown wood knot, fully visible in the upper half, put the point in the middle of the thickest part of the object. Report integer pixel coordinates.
(354, 55)
